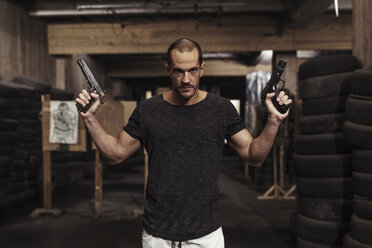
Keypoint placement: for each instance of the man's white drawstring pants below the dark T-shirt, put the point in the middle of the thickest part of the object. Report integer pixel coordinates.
(213, 240)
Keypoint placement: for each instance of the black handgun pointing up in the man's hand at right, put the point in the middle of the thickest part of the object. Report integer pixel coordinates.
(276, 84)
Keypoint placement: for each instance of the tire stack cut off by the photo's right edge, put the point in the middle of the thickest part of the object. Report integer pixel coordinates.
(358, 132)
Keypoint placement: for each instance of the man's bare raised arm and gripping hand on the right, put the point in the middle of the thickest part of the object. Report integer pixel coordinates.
(255, 150)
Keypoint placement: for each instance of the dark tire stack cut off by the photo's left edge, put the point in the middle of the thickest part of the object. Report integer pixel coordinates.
(8, 128)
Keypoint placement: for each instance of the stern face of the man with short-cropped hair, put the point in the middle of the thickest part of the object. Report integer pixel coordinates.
(185, 72)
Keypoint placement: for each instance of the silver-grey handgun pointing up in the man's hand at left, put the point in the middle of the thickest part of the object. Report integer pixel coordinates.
(93, 85)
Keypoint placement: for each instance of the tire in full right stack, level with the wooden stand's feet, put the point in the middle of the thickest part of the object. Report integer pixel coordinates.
(330, 188)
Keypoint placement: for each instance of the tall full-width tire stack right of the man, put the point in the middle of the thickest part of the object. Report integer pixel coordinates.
(322, 162)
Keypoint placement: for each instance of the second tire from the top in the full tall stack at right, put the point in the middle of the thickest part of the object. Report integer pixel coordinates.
(325, 86)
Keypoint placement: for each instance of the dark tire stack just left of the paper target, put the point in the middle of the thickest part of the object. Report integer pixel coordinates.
(27, 157)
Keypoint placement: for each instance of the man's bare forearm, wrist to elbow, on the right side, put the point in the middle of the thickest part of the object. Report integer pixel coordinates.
(261, 146)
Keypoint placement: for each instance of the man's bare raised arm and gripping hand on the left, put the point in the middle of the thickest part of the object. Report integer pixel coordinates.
(115, 150)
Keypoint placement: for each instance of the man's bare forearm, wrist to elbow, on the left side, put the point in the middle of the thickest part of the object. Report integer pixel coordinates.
(105, 143)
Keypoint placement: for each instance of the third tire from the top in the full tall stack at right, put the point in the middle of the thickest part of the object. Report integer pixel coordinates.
(325, 105)
